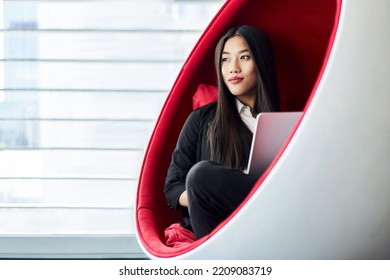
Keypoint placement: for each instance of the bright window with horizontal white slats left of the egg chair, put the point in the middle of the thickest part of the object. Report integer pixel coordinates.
(81, 85)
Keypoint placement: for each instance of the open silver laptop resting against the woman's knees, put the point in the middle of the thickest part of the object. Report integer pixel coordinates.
(270, 133)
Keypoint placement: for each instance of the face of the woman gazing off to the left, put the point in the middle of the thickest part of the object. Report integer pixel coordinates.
(239, 70)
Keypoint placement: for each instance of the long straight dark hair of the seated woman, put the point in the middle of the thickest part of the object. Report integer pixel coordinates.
(229, 137)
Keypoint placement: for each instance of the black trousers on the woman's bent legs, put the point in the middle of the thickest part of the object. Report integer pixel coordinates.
(214, 192)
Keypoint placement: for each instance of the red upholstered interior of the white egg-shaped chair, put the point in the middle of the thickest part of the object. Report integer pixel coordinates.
(301, 32)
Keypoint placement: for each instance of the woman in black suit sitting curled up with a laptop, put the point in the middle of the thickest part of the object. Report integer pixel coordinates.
(206, 178)
